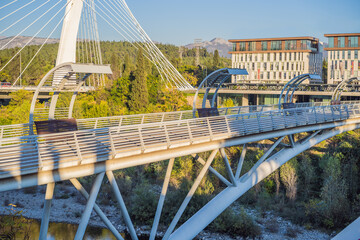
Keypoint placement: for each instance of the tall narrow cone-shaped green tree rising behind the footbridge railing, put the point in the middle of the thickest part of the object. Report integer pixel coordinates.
(139, 96)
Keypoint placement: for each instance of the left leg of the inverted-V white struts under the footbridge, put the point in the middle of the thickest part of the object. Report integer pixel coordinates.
(89, 207)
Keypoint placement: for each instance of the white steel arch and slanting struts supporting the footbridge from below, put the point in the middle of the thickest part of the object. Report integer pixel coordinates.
(237, 183)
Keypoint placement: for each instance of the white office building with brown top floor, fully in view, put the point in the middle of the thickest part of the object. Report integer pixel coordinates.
(276, 59)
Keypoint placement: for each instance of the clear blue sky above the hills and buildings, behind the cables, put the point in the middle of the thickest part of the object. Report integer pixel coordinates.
(179, 22)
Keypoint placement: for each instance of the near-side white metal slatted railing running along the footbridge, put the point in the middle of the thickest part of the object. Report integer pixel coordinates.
(29, 154)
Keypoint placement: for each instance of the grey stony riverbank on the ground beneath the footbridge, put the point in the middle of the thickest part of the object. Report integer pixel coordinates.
(68, 206)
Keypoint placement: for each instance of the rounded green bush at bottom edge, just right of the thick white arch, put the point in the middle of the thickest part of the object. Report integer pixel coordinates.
(236, 225)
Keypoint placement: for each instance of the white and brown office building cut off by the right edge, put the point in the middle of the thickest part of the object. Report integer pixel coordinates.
(343, 56)
